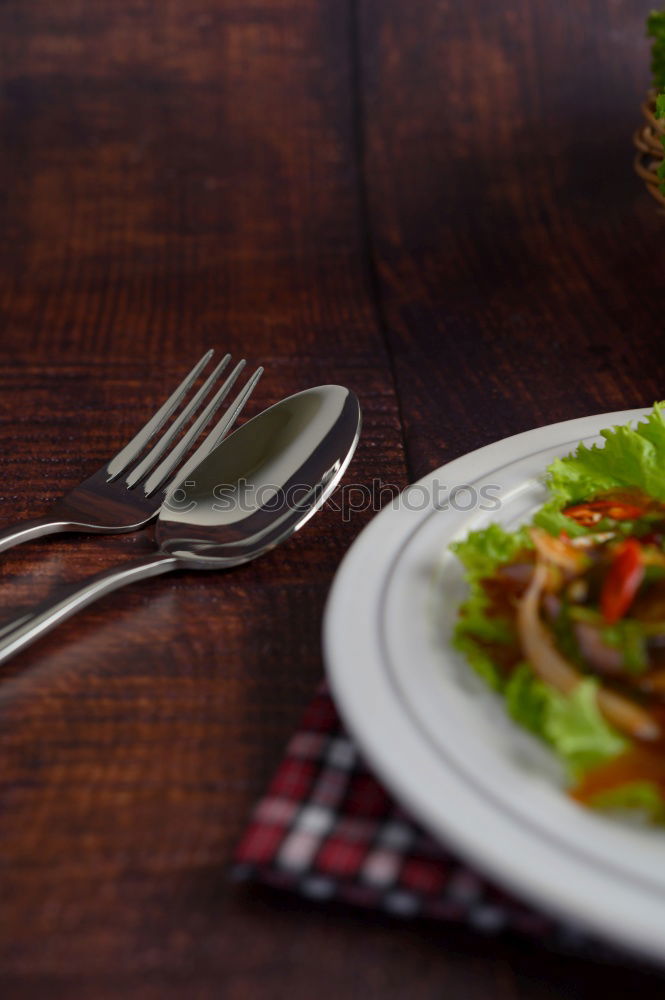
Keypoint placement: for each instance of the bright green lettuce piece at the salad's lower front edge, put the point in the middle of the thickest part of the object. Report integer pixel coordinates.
(572, 725)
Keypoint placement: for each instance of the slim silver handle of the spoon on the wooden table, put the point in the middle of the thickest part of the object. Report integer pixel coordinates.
(29, 627)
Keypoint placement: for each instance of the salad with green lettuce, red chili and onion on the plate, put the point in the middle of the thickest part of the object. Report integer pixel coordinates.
(566, 617)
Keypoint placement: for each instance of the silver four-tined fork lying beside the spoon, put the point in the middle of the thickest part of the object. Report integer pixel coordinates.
(127, 493)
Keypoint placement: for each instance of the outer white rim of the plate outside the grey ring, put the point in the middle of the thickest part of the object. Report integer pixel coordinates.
(353, 694)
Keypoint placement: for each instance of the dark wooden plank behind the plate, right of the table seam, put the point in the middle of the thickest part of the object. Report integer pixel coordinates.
(520, 264)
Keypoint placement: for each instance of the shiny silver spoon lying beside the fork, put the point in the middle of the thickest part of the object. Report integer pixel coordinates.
(252, 492)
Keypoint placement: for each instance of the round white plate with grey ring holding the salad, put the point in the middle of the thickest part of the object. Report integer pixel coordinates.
(441, 741)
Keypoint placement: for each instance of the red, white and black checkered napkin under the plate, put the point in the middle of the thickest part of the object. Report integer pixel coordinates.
(328, 830)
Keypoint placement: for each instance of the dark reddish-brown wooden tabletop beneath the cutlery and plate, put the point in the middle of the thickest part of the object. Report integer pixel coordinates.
(431, 202)
